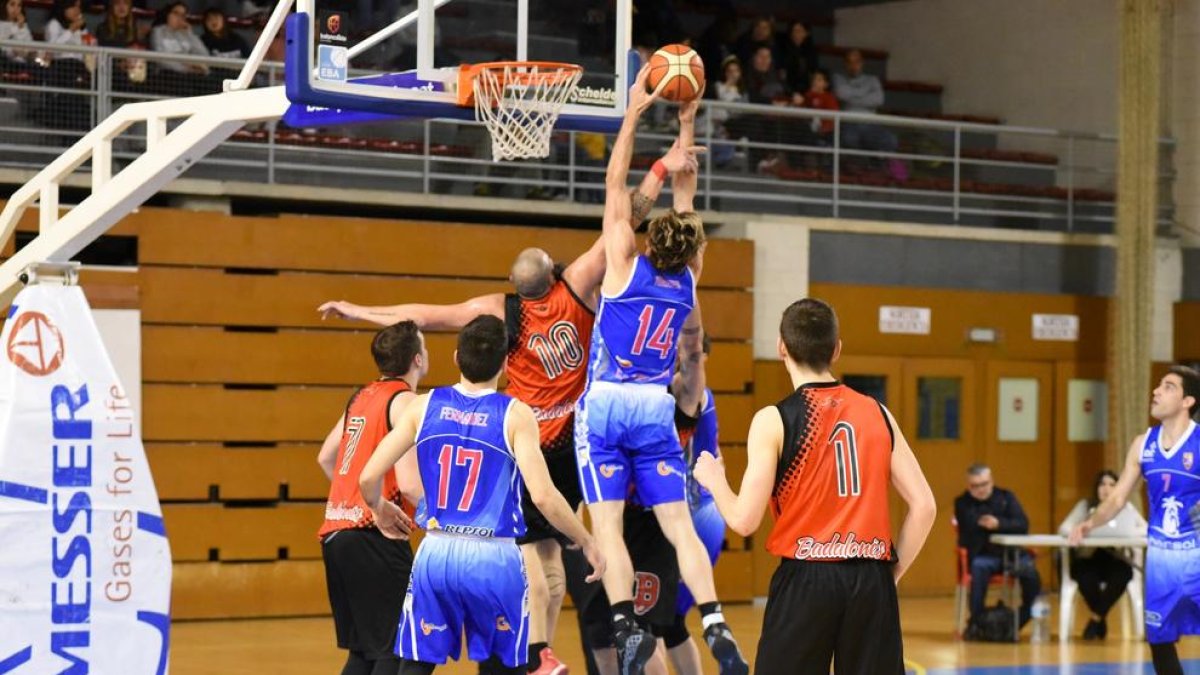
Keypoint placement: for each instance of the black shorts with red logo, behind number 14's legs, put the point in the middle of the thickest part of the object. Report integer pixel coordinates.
(656, 582)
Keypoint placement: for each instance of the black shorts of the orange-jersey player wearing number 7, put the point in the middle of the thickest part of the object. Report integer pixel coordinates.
(368, 578)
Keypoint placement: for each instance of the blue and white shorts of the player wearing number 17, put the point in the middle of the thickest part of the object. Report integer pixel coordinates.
(466, 583)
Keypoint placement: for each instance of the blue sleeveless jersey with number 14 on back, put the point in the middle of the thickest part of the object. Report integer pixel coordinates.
(638, 331)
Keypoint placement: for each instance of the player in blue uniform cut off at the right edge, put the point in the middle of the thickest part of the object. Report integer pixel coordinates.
(1168, 457)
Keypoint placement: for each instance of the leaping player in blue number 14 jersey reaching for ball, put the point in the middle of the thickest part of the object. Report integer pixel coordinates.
(626, 420)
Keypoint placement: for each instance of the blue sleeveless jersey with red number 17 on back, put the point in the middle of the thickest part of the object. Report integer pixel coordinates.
(472, 483)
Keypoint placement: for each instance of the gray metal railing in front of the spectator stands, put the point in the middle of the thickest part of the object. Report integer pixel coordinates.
(763, 159)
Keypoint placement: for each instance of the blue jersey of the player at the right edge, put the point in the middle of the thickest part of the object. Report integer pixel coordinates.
(1173, 486)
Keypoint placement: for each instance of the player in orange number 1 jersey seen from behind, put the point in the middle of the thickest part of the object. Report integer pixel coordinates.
(824, 458)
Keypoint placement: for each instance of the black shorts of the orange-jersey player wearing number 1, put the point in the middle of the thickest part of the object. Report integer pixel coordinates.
(831, 612)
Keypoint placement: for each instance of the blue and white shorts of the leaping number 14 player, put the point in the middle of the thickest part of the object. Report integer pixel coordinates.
(626, 434)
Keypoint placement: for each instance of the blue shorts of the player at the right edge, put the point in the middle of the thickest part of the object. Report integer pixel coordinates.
(1173, 594)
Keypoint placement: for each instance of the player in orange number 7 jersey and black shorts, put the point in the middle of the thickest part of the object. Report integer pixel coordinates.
(367, 572)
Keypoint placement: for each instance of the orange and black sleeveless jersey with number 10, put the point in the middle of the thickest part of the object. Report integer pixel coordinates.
(548, 360)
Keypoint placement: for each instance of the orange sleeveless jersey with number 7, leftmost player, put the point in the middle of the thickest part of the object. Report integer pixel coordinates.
(367, 425)
